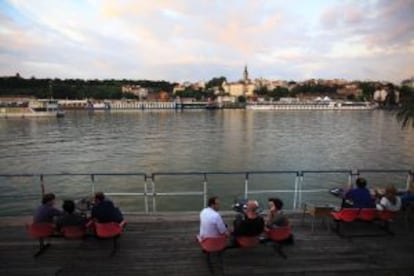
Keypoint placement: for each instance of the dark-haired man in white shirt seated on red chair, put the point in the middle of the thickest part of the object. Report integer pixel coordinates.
(211, 223)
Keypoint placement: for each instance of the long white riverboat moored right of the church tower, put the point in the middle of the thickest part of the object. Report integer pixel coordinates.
(310, 105)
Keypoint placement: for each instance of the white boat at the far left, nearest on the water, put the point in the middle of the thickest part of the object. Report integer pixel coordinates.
(35, 108)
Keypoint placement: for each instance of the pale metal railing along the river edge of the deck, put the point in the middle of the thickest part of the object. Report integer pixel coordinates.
(150, 192)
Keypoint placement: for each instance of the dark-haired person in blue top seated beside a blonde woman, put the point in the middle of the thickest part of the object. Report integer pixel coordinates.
(360, 197)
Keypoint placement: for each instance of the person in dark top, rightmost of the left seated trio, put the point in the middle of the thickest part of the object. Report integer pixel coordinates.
(104, 210)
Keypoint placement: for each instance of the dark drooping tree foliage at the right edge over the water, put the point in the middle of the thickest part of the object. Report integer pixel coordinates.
(405, 115)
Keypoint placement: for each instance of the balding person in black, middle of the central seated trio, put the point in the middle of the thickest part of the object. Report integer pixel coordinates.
(250, 224)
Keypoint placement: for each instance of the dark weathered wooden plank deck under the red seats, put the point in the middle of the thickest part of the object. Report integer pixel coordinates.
(165, 245)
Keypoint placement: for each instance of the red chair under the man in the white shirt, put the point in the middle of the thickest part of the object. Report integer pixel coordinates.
(213, 245)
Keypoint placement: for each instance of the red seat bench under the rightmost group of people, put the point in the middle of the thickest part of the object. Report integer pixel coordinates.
(371, 215)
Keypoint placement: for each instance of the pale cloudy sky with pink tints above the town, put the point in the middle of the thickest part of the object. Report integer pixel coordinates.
(196, 40)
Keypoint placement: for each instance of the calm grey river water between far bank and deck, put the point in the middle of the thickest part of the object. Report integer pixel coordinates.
(196, 140)
